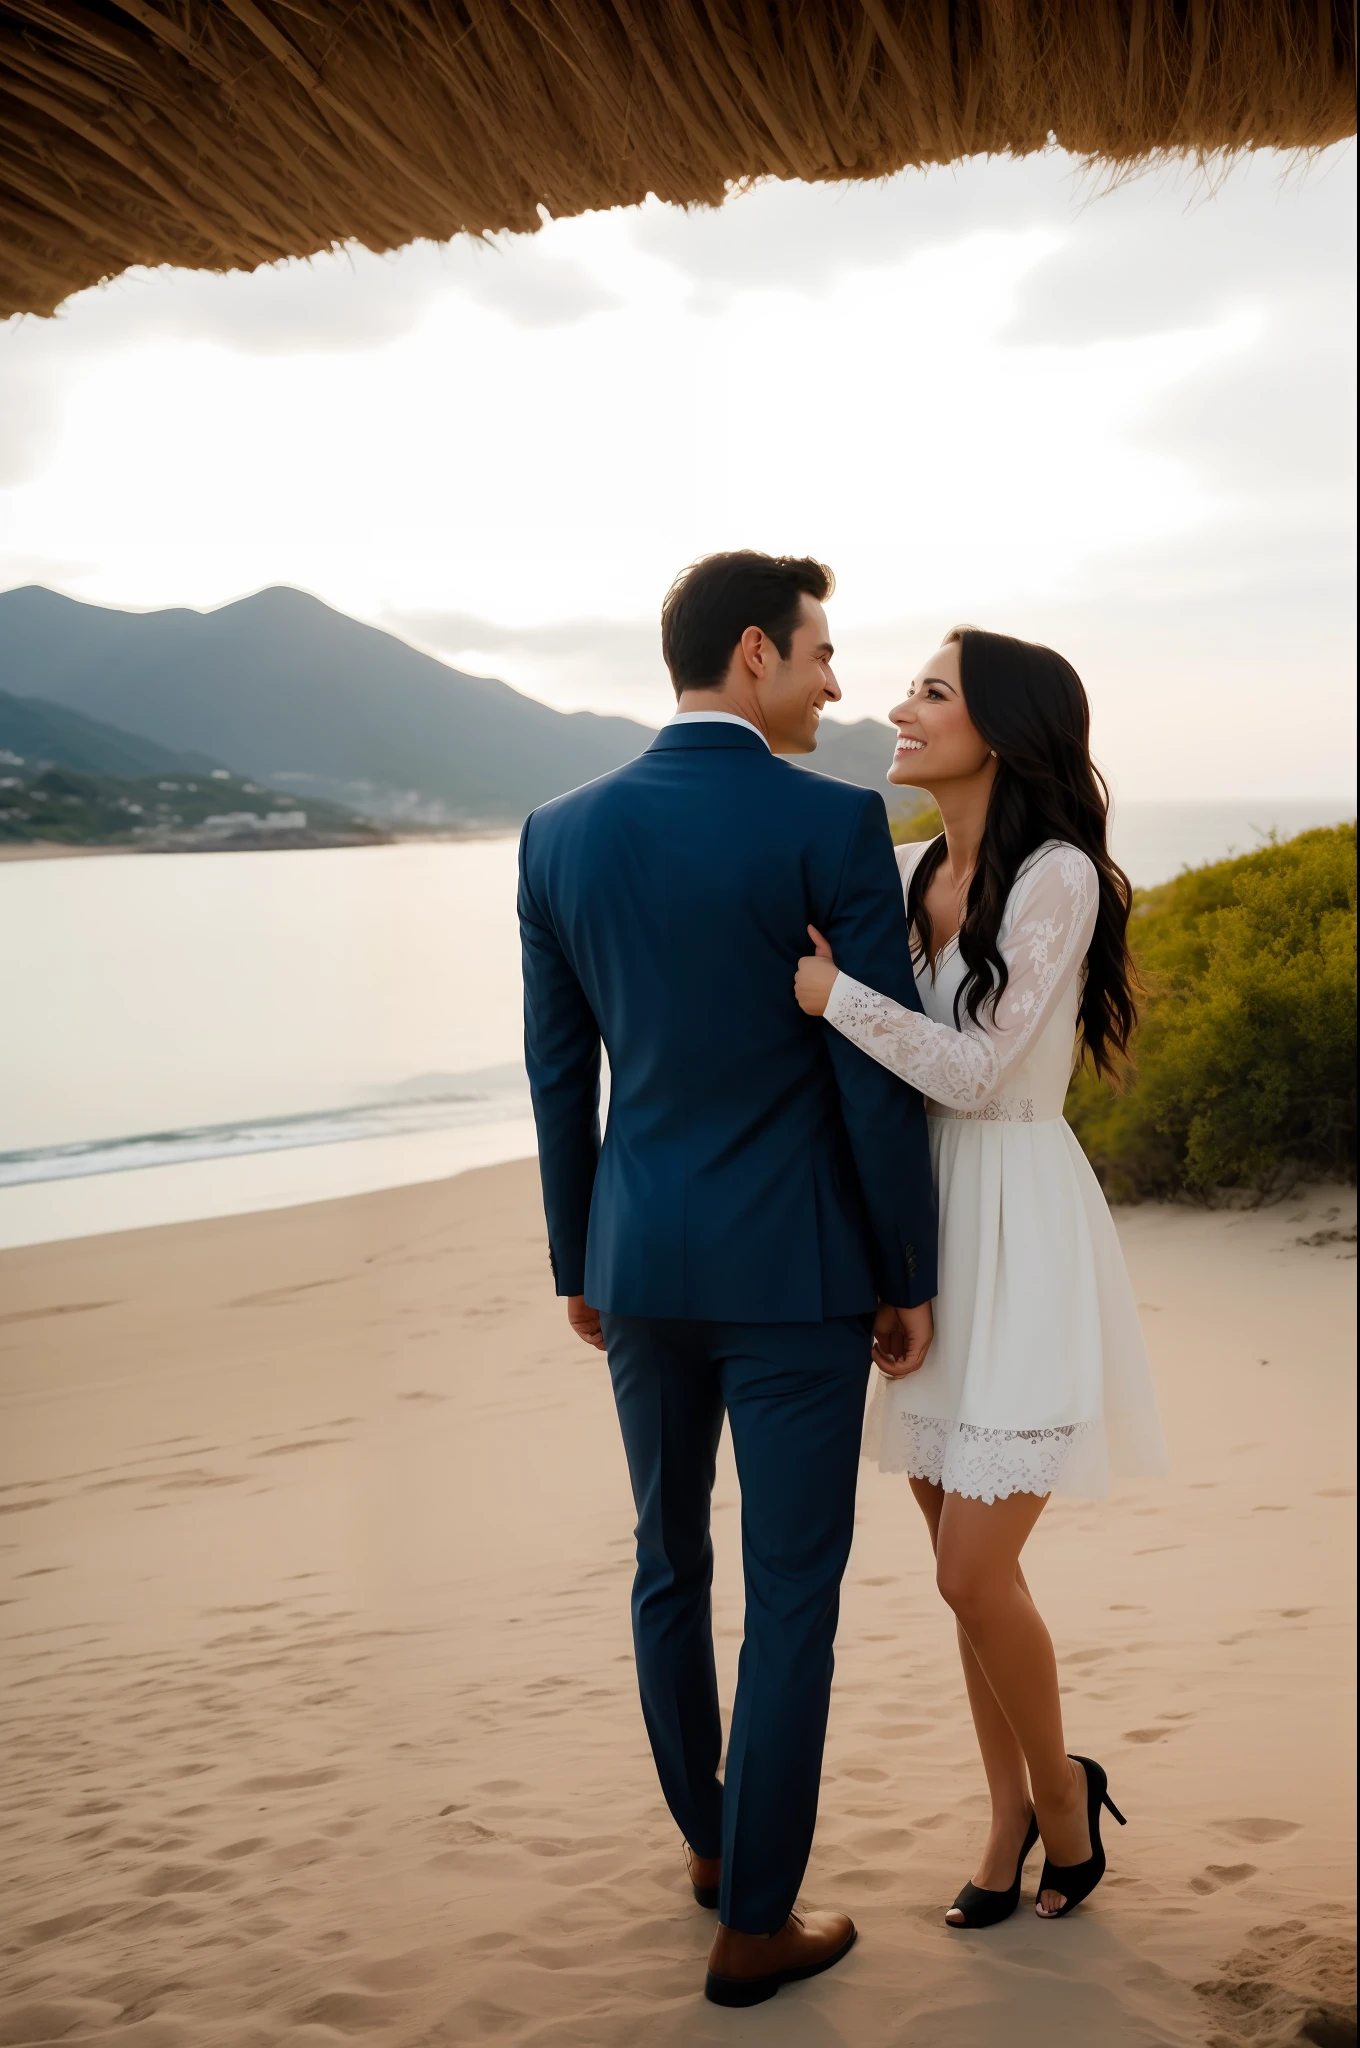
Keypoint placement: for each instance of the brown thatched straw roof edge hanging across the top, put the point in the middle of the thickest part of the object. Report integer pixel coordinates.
(224, 134)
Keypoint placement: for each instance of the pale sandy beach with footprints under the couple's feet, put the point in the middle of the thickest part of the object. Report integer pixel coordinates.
(321, 1717)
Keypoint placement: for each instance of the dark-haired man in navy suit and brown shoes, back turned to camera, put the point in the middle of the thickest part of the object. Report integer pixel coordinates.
(759, 1218)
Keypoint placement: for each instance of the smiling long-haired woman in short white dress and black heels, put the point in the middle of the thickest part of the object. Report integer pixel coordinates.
(1037, 1379)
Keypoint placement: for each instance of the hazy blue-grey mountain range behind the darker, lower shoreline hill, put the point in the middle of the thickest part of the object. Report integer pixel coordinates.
(294, 693)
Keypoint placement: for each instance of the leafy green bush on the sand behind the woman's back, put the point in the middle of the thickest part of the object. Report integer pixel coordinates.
(1244, 1066)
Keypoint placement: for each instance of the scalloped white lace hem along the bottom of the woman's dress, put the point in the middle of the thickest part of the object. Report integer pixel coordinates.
(986, 1465)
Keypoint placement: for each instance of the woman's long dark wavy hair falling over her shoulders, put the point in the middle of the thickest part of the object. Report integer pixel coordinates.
(1031, 710)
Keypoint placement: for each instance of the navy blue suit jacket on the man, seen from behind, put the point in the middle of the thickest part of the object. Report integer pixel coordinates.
(757, 1166)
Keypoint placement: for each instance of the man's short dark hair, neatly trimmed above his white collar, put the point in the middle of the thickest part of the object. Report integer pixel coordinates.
(712, 605)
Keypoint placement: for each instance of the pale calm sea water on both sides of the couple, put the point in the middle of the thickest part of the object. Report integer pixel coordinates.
(196, 1035)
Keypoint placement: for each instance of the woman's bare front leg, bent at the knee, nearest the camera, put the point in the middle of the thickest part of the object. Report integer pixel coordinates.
(978, 1572)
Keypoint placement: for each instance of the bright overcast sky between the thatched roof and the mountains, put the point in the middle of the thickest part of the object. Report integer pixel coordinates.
(1121, 423)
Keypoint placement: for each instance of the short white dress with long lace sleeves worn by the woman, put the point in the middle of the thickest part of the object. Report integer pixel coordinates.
(1037, 1379)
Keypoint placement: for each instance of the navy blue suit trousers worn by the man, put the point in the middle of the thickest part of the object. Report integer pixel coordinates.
(794, 1396)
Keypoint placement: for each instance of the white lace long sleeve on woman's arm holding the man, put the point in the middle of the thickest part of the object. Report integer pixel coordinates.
(1046, 933)
